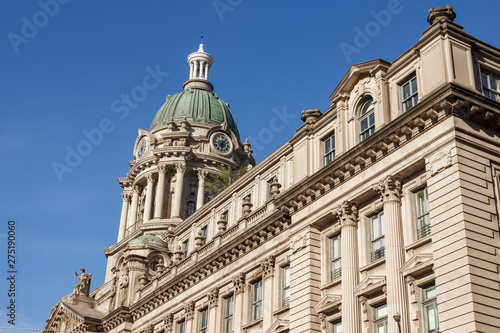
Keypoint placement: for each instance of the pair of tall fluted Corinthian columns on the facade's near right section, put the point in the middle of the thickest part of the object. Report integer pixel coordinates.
(389, 189)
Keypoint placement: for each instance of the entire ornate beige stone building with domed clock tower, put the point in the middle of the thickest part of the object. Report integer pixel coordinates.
(381, 214)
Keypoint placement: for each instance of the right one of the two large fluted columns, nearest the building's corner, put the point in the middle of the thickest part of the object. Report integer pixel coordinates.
(390, 190)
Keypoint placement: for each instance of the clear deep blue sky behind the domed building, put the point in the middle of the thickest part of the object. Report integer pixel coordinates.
(67, 65)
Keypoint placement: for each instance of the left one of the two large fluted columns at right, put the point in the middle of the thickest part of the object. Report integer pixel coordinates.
(348, 216)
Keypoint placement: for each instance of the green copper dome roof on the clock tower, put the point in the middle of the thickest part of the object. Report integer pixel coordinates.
(199, 107)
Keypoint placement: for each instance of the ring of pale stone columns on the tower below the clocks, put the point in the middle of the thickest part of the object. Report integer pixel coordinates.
(154, 210)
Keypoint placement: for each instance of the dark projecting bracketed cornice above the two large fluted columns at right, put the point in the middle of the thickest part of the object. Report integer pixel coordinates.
(449, 99)
